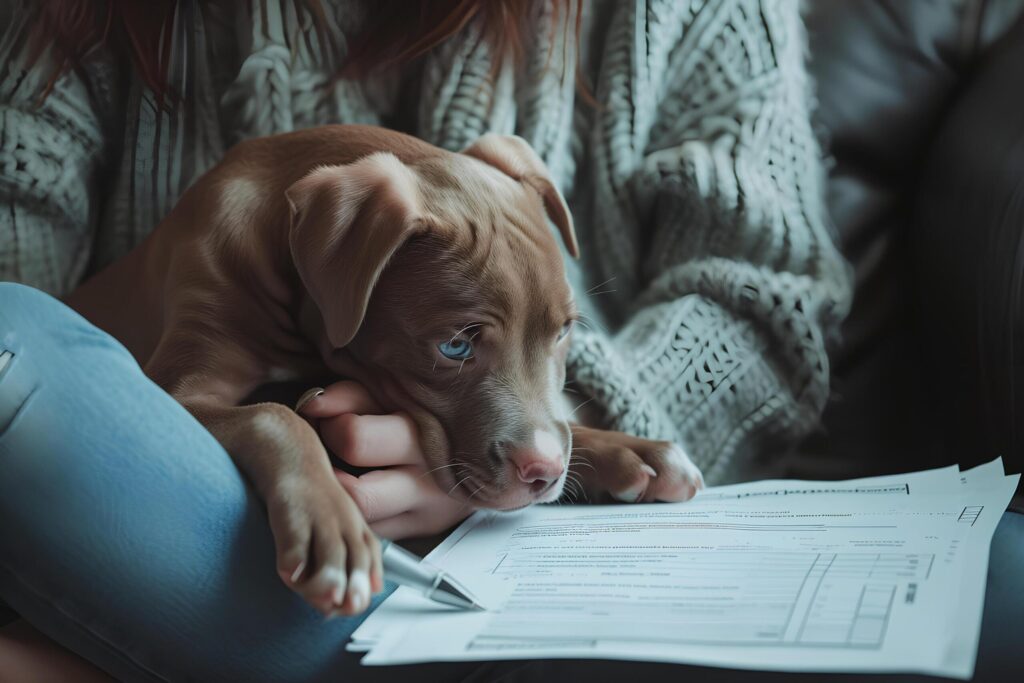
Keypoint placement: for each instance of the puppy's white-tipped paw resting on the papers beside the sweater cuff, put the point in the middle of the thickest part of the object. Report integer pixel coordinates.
(631, 469)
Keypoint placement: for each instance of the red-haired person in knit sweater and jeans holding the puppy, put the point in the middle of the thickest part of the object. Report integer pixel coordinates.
(678, 132)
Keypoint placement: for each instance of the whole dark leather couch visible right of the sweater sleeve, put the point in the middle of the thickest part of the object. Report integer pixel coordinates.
(922, 110)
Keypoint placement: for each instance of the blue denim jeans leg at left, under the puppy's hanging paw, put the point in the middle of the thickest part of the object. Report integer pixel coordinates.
(126, 532)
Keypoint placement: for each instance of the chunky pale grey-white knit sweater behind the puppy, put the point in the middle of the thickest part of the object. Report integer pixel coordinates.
(709, 274)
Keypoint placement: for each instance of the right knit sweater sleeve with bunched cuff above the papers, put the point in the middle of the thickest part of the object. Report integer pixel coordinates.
(741, 284)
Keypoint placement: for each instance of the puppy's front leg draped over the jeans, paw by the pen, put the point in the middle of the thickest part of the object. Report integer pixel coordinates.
(325, 549)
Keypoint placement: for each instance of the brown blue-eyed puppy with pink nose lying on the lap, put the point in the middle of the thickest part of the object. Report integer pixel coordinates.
(430, 277)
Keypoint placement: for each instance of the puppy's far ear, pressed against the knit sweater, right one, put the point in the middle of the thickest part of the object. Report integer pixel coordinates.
(514, 156)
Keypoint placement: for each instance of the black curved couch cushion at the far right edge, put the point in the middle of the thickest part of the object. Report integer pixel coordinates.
(968, 243)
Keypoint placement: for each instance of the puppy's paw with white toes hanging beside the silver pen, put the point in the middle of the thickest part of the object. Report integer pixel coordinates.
(326, 551)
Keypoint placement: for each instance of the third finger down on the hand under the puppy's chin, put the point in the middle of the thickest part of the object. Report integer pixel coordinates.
(383, 494)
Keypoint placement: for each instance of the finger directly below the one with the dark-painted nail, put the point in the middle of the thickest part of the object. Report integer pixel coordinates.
(373, 441)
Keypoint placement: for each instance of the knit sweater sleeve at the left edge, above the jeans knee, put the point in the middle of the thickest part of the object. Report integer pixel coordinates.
(51, 152)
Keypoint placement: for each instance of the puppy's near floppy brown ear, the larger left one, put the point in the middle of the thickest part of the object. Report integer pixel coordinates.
(348, 222)
